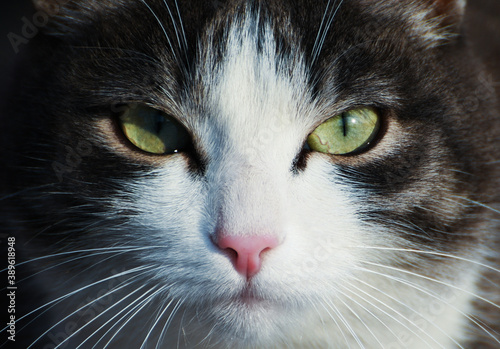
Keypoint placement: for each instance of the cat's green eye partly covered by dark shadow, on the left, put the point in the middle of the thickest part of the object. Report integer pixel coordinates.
(153, 131)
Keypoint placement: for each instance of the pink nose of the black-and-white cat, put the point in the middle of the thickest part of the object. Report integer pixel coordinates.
(246, 251)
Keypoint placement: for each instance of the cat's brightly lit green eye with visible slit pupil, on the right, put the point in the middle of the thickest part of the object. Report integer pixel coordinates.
(346, 133)
